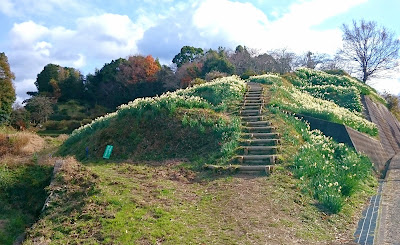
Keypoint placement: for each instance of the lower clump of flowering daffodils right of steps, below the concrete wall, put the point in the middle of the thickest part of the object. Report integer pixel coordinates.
(330, 172)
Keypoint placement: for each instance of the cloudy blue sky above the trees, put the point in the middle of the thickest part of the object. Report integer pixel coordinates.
(87, 34)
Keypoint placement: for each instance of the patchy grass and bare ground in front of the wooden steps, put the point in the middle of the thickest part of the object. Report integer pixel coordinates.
(167, 203)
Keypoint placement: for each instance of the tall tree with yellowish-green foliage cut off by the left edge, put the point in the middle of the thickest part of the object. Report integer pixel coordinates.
(7, 91)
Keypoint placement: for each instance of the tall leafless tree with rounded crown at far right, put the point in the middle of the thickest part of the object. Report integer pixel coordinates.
(373, 49)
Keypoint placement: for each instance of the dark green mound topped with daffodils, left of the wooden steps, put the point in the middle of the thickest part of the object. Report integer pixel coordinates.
(188, 123)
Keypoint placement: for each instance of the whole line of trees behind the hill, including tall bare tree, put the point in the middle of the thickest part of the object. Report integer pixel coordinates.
(368, 48)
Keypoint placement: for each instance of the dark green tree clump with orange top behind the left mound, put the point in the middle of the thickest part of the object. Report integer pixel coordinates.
(124, 80)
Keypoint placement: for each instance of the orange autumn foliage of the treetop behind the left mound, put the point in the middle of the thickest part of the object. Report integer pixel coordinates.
(139, 69)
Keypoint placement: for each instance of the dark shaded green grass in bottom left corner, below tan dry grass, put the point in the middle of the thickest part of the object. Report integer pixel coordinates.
(22, 195)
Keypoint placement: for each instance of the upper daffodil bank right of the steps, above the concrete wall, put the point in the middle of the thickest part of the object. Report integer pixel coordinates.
(318, 94)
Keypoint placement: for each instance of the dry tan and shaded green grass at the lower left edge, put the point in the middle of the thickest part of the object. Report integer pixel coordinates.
(25, 171)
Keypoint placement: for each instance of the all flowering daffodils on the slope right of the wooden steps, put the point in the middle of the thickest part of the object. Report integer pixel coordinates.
(329, 171)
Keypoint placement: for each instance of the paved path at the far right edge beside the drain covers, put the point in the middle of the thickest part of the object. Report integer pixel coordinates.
(389, 223)
